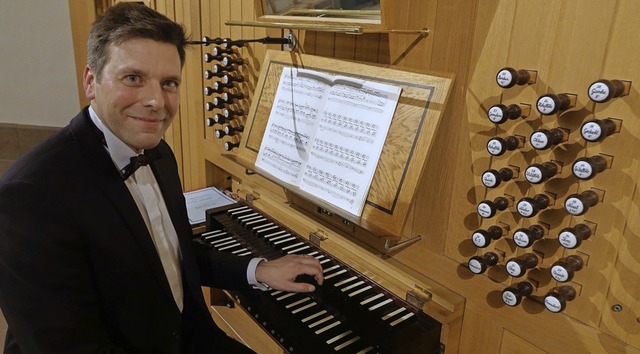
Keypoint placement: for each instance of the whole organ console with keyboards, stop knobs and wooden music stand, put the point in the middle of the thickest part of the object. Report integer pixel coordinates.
(517, 232)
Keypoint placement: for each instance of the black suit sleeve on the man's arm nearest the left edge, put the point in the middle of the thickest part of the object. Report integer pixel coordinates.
(46, 290)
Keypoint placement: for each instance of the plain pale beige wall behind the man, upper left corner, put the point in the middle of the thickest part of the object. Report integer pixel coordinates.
(37, 68)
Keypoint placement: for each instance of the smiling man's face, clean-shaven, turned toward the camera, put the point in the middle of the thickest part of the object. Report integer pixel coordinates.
(137, 96)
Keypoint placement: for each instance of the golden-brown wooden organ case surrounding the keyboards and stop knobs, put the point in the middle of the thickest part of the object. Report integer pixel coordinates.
(563, 47)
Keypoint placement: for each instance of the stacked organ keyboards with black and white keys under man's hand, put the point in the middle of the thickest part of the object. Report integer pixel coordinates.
(349, 313)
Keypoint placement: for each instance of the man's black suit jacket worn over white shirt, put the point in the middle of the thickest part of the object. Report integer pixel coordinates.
(78, 269)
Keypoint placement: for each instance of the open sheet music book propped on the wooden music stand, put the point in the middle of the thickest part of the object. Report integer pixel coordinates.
(325, 134)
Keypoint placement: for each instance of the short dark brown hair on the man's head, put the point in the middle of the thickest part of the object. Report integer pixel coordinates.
(125, 21)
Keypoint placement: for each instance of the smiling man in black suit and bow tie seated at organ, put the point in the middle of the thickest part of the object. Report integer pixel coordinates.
(96, 257)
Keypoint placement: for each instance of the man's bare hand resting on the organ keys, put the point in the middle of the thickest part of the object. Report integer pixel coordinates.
(280, 274)
